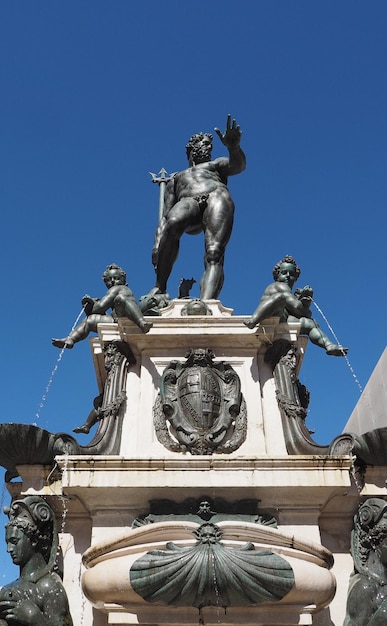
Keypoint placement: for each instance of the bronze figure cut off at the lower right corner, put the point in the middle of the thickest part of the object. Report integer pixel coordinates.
(367, 594)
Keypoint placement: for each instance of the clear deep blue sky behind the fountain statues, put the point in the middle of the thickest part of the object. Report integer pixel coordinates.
(97, 94)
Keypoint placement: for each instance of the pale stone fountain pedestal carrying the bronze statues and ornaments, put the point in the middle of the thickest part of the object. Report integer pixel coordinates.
(307, 488)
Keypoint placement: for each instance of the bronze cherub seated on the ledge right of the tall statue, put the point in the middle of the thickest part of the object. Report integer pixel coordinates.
(279, 301)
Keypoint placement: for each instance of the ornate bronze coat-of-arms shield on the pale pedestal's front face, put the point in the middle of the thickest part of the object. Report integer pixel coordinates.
(200, 408)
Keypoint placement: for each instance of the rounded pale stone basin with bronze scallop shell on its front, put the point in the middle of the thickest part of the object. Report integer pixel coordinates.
(230, 566)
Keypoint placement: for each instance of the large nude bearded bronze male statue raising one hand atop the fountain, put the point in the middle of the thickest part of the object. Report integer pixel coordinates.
(197, 199)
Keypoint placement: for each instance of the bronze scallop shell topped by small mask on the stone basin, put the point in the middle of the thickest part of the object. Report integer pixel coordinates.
(211, 574)
